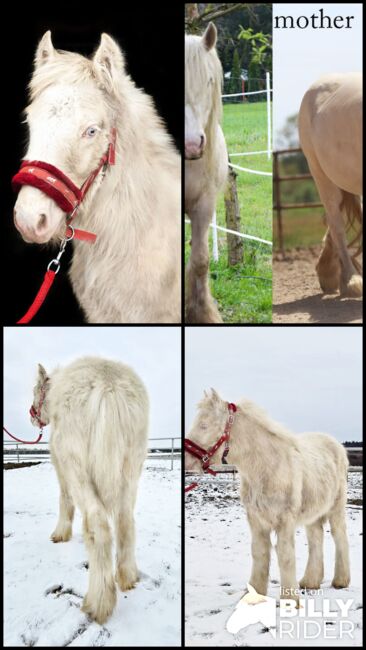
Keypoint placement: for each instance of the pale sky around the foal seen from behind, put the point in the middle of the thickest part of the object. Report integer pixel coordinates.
(153, 352)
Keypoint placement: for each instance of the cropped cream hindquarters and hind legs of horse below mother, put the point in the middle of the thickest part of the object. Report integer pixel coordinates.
(330, 128)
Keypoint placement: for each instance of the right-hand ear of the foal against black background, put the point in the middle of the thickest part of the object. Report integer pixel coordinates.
(108, 62)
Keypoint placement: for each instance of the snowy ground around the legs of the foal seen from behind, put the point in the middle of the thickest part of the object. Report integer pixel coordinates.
(45, 582)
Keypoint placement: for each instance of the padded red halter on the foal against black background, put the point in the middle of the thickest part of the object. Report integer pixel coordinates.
(53, 182)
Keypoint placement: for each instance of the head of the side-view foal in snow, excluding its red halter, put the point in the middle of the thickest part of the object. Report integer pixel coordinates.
(207, 428)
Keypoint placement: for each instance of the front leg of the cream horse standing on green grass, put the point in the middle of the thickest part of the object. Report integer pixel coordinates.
(200, 306)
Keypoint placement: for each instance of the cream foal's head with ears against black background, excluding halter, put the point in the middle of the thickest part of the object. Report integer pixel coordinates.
(70, 116)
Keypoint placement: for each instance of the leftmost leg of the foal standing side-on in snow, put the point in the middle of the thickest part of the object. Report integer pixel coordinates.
(261, 552)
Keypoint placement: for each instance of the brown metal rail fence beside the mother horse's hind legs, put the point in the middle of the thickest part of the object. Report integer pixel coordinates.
(278, 205)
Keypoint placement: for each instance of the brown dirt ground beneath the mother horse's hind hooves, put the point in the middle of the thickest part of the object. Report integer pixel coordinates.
(297, 297)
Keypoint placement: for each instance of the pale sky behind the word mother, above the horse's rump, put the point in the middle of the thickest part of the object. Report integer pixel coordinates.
(300, 56)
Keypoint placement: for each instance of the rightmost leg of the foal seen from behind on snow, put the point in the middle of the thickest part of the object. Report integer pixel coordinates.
(126, 570)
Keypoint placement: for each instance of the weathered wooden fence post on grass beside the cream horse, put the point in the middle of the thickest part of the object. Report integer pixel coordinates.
(232, 209)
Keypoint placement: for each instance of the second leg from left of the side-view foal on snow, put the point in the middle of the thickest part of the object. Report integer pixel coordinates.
(286, 560)
